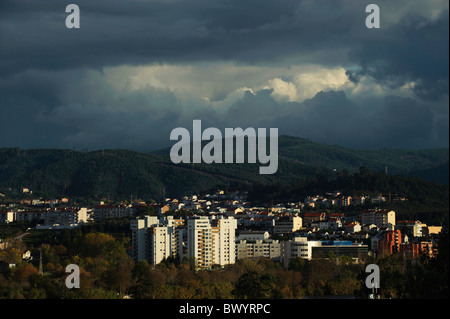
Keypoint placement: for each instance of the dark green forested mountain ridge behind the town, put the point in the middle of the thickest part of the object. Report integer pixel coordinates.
(125, 174)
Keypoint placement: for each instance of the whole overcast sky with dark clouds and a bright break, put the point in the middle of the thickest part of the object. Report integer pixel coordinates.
(136, 69)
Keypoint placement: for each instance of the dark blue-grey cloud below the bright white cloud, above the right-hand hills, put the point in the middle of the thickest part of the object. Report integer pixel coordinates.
(330, 117)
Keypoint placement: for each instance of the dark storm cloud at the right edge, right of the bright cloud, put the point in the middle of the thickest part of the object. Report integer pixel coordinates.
(415, 50)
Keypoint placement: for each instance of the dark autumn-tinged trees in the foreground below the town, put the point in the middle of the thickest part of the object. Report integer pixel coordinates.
(106, 271)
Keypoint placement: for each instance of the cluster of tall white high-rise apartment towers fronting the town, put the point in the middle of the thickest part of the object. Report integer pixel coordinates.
(206, 240)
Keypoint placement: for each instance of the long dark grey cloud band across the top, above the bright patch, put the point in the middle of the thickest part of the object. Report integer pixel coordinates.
(117, 32)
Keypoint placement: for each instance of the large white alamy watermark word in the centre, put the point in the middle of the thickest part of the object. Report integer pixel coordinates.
(212, 152)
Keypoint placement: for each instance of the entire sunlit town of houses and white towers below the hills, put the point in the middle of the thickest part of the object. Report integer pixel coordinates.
(215, 230)
